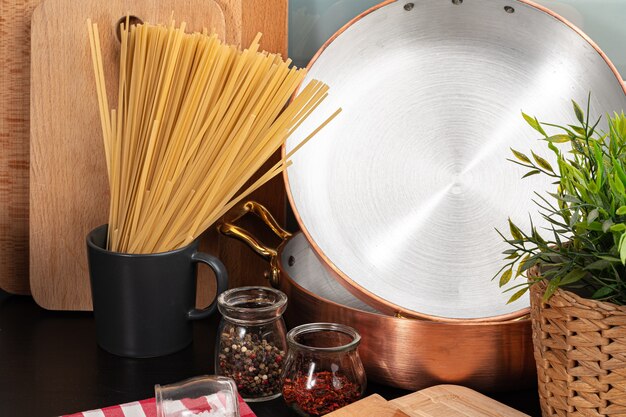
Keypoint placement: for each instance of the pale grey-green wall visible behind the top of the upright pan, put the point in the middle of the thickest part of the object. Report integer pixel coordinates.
(312, 22)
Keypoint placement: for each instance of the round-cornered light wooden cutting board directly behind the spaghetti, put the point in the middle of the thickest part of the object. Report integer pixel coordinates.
(69, 190)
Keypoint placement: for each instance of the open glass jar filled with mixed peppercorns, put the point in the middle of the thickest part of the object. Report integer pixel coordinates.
(251, 341)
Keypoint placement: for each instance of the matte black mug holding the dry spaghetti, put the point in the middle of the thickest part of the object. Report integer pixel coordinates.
(144, 304)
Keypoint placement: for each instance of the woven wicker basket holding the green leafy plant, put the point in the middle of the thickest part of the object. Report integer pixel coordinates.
(580, 350)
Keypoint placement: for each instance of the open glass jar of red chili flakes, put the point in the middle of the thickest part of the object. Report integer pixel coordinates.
(323, 370)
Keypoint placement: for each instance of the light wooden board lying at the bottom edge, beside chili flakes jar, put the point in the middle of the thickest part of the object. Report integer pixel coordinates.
(437, 401)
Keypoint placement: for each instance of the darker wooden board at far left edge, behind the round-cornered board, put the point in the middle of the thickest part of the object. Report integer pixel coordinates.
(14, 138)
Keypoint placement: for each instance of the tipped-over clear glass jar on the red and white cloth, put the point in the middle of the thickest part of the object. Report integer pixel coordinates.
(214, 396)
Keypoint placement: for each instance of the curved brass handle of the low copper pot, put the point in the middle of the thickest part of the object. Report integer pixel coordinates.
(228, 228)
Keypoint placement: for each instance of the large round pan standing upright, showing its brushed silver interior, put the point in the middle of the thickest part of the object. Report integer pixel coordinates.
(401, 194)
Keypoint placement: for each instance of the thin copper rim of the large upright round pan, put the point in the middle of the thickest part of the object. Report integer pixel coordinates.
(355, 289)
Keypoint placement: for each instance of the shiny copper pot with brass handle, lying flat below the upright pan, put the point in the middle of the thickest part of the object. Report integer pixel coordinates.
(405, 353)
